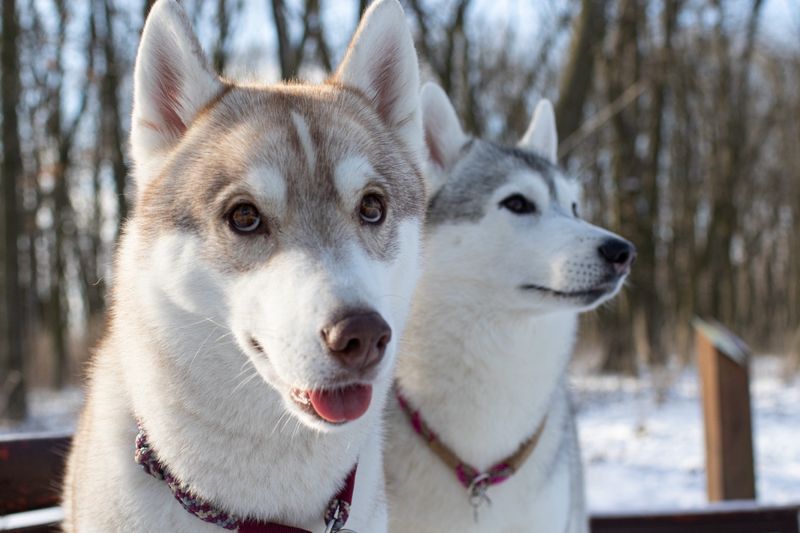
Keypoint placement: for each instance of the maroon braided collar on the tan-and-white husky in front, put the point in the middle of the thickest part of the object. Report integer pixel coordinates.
(335, 515)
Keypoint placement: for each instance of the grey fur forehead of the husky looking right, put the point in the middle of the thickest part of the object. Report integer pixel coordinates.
(483, 169)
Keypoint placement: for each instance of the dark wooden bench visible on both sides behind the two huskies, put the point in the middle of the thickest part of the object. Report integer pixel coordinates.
(31, 467)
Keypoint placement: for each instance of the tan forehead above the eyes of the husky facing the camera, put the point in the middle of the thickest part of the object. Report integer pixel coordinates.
(300, 132)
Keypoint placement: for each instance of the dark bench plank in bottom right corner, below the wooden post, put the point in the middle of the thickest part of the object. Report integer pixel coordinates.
(735, 519)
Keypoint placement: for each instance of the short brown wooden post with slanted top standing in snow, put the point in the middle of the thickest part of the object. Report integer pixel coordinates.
(723, 364)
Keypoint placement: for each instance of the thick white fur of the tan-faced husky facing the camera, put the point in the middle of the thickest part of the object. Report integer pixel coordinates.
(178, 356)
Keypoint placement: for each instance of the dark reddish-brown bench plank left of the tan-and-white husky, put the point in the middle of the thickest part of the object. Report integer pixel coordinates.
(31, 470)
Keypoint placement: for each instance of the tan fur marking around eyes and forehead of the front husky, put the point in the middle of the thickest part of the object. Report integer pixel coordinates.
(247, 127)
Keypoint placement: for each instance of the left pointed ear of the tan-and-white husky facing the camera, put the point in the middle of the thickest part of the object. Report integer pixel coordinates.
(172, 83)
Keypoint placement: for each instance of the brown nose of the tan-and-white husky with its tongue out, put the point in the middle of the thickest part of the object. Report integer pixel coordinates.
(358, 341)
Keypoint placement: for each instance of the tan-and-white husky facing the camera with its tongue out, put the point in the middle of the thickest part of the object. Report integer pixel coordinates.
(260, 290)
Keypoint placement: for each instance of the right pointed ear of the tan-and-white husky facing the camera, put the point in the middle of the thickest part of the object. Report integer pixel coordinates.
(381, 63)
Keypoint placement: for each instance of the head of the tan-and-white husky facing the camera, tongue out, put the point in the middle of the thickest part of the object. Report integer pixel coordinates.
(286, 217)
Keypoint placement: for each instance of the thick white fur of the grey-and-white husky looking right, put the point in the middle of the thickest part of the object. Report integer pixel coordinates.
(484, 362)
